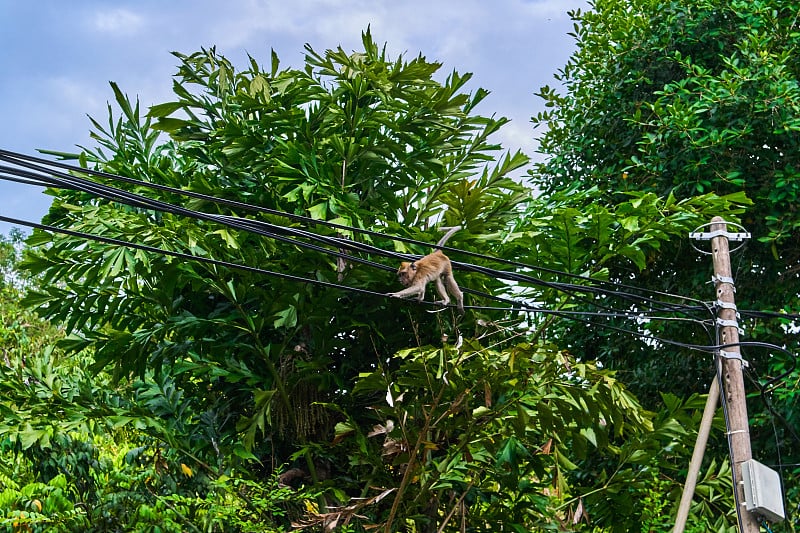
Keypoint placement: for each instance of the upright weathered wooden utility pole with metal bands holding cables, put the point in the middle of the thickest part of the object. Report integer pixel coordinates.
(729, 363)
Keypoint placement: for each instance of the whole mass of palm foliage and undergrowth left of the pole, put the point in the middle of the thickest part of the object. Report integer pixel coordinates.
(195, 395)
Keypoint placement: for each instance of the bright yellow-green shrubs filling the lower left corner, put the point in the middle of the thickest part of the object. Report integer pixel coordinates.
(80, 453)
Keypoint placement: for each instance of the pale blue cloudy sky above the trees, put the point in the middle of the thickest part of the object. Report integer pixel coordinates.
(59, 57)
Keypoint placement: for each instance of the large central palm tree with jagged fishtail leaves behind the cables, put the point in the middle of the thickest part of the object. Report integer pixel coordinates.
(330, 142)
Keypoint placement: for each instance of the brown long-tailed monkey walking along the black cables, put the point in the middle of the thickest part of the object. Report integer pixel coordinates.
(435, 267)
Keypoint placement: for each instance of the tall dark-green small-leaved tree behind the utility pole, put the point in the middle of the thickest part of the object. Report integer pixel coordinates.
(682, 98)
